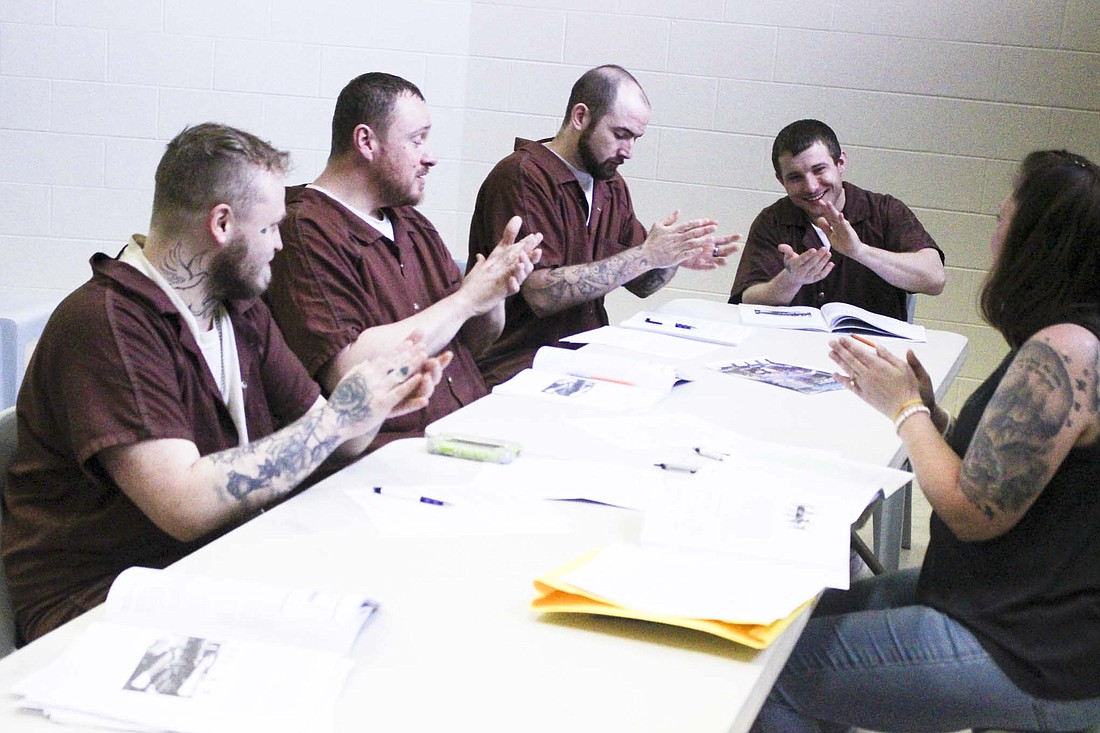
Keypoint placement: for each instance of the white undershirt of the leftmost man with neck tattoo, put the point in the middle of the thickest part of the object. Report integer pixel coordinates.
(214, 348)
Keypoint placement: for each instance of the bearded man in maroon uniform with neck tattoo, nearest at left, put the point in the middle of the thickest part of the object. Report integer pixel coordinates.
(162, 407)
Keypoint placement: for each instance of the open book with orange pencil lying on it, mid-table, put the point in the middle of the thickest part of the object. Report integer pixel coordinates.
(597, 380)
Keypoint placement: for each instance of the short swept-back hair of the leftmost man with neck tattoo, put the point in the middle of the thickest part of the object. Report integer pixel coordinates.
(211, 165)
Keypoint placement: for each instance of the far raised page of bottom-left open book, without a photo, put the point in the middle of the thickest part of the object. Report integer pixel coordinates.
(234, 609)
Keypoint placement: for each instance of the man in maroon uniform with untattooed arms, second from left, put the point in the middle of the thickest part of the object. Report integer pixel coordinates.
(362, 268)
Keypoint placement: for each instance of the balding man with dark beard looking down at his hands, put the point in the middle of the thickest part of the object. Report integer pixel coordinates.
(568, 189)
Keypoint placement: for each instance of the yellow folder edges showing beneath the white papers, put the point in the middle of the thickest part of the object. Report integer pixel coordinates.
(556, 596)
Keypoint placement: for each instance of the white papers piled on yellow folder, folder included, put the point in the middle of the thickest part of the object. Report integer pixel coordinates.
(738, 550)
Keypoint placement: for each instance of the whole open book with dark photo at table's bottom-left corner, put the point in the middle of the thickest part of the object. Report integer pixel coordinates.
(193, 654)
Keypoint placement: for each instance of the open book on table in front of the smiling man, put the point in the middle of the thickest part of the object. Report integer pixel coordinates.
(834, 318)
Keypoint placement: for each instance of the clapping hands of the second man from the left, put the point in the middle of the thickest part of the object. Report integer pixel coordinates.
(500, 276)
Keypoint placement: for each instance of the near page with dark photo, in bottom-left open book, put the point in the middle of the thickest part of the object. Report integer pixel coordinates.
(194, 685)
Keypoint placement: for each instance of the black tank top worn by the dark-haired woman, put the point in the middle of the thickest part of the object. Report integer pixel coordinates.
(1032, 596)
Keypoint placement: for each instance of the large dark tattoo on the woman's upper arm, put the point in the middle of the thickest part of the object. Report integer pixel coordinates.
(1006, 464)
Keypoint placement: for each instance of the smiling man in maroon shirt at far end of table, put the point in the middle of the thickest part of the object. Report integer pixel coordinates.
(829, 240)
